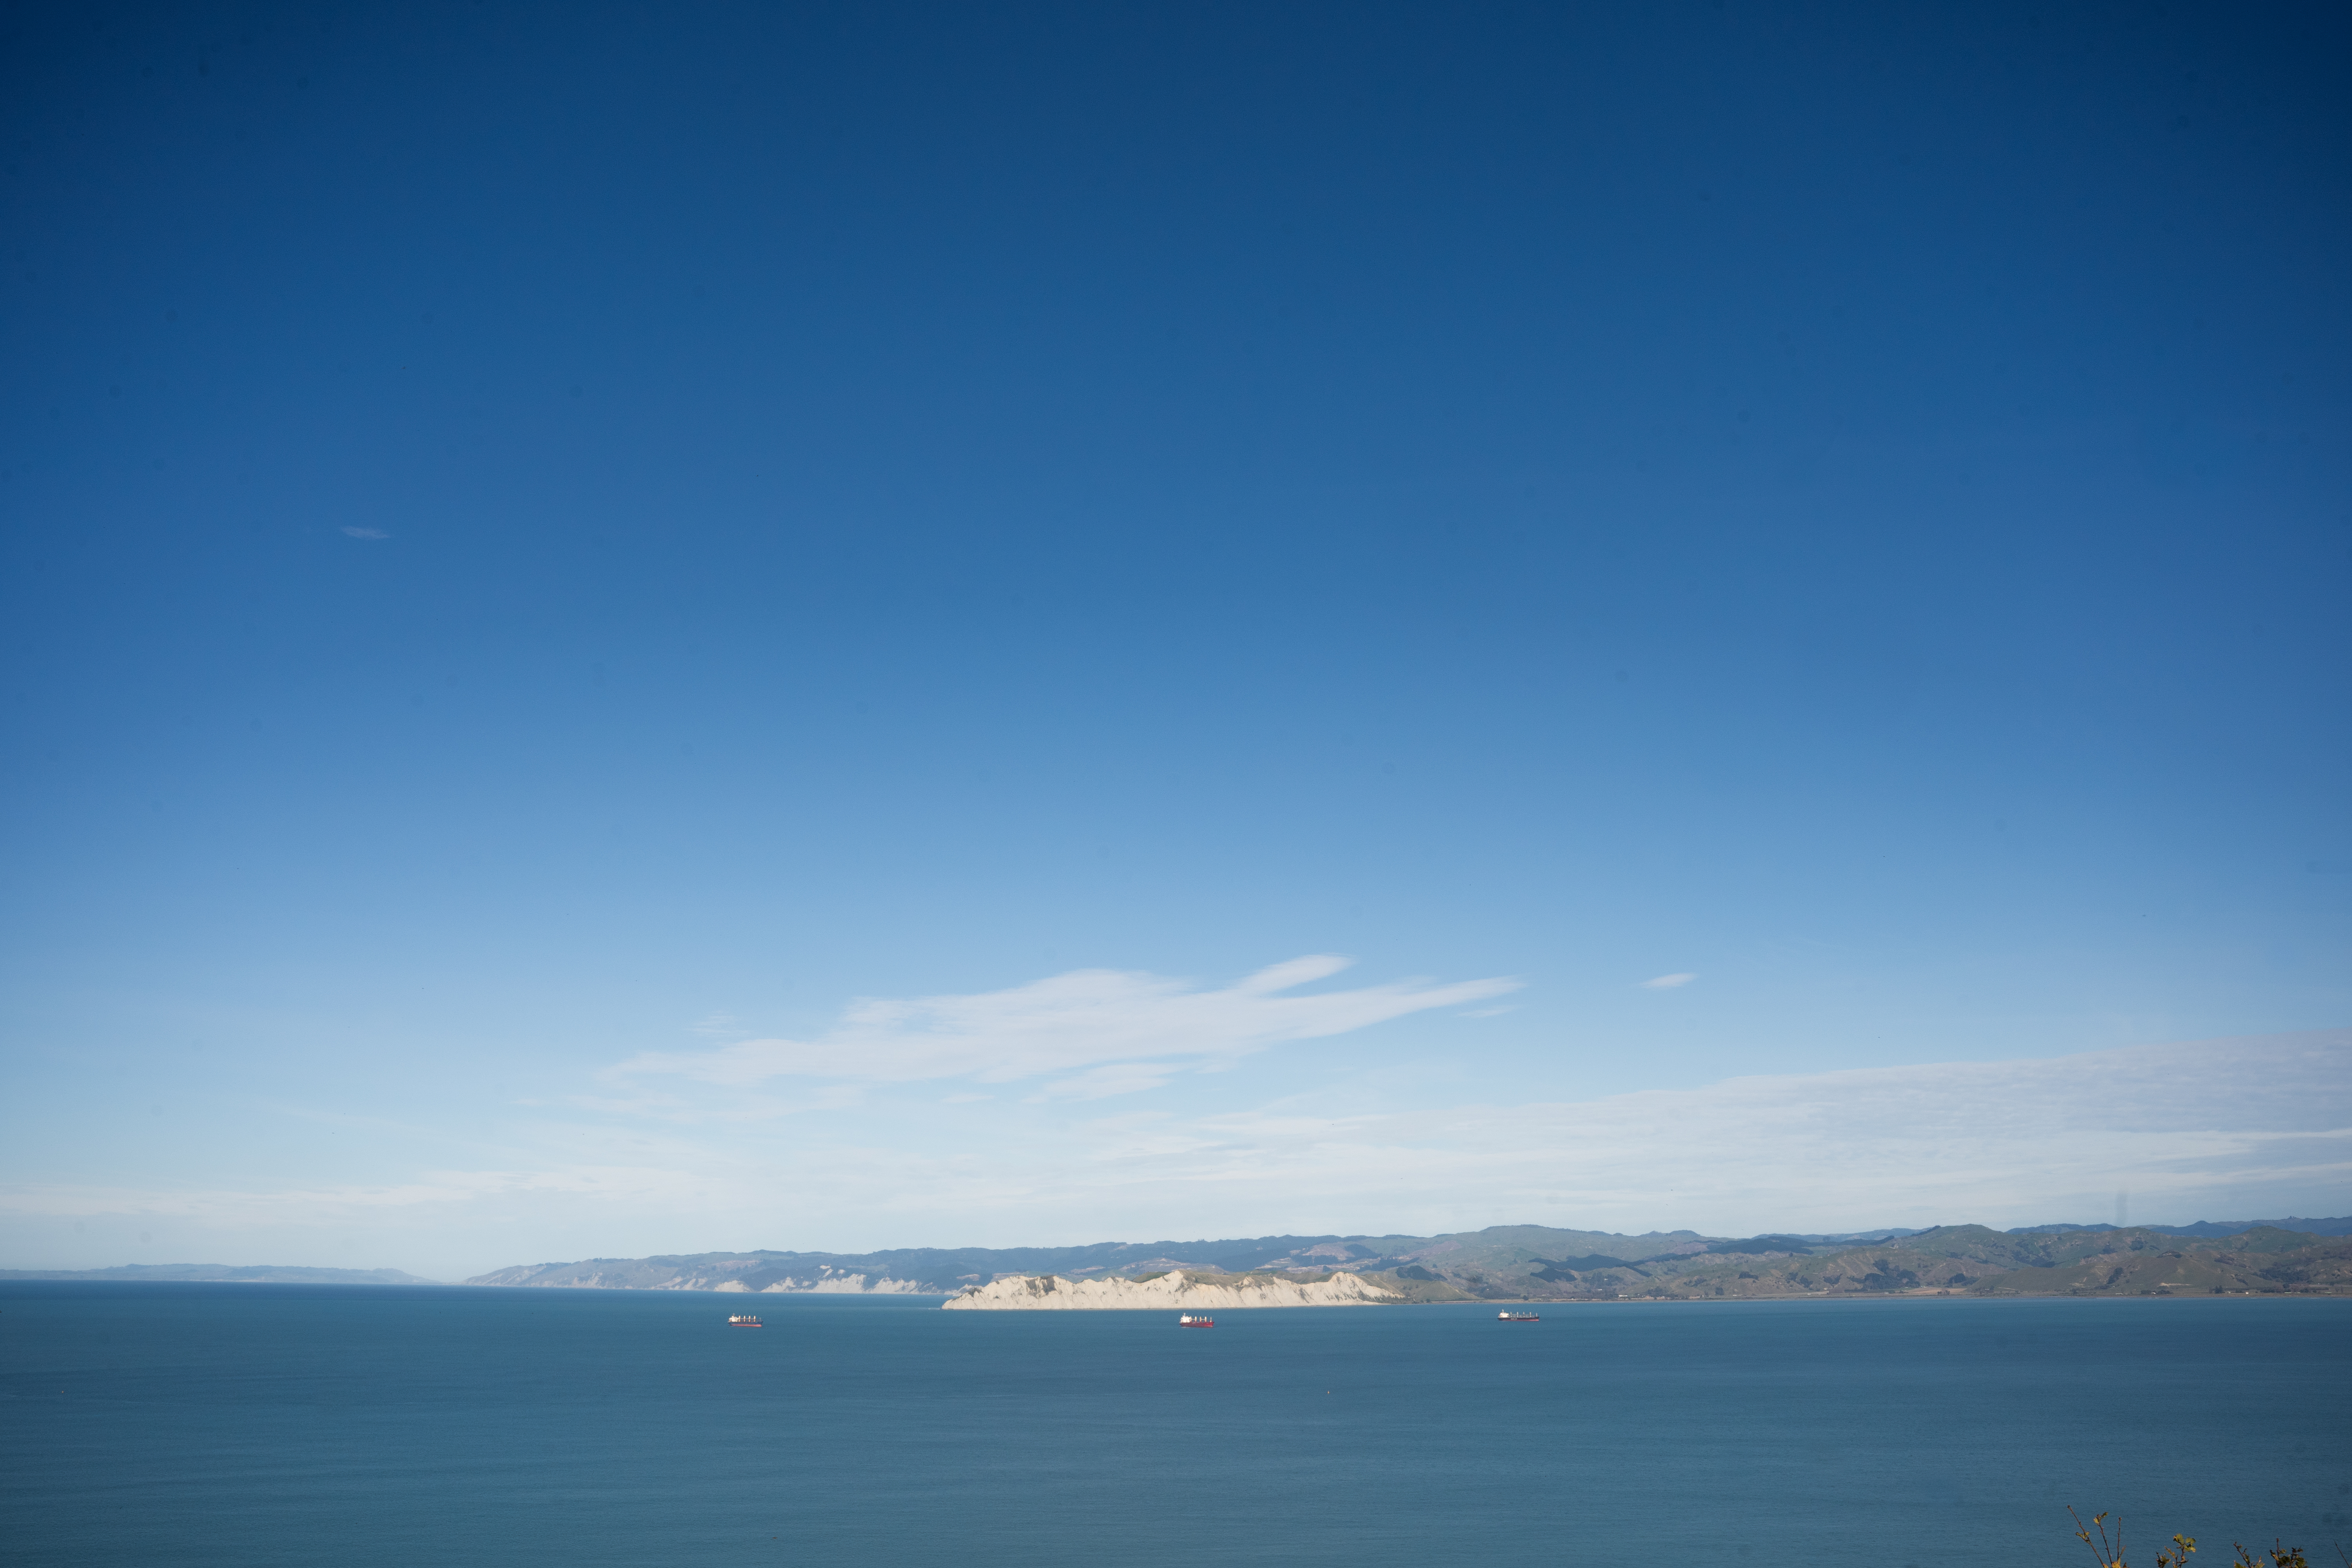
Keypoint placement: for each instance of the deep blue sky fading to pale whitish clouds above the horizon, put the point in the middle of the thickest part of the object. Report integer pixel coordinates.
(632, 629)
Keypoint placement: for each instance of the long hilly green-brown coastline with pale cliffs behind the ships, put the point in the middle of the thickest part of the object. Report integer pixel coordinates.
(1542, 1264)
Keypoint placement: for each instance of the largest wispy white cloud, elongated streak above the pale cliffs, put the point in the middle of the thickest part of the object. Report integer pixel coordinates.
(1069, 1024)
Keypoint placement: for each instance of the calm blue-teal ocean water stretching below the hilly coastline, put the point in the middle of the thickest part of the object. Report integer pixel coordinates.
(258, 1426)
